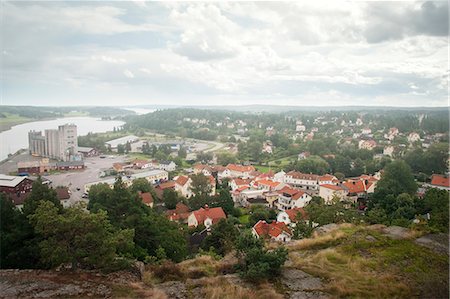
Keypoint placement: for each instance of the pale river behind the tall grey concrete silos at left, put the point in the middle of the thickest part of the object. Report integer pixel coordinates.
(16, 138)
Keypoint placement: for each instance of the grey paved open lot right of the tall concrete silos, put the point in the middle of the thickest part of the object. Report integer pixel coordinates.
(77, 179)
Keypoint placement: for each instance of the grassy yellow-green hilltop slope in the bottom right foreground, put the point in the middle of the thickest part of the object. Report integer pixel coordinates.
(359, 266)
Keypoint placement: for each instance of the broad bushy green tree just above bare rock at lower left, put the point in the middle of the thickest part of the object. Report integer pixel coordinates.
(76, 237)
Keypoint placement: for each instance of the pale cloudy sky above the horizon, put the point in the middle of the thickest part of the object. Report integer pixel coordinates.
(311, 53)
